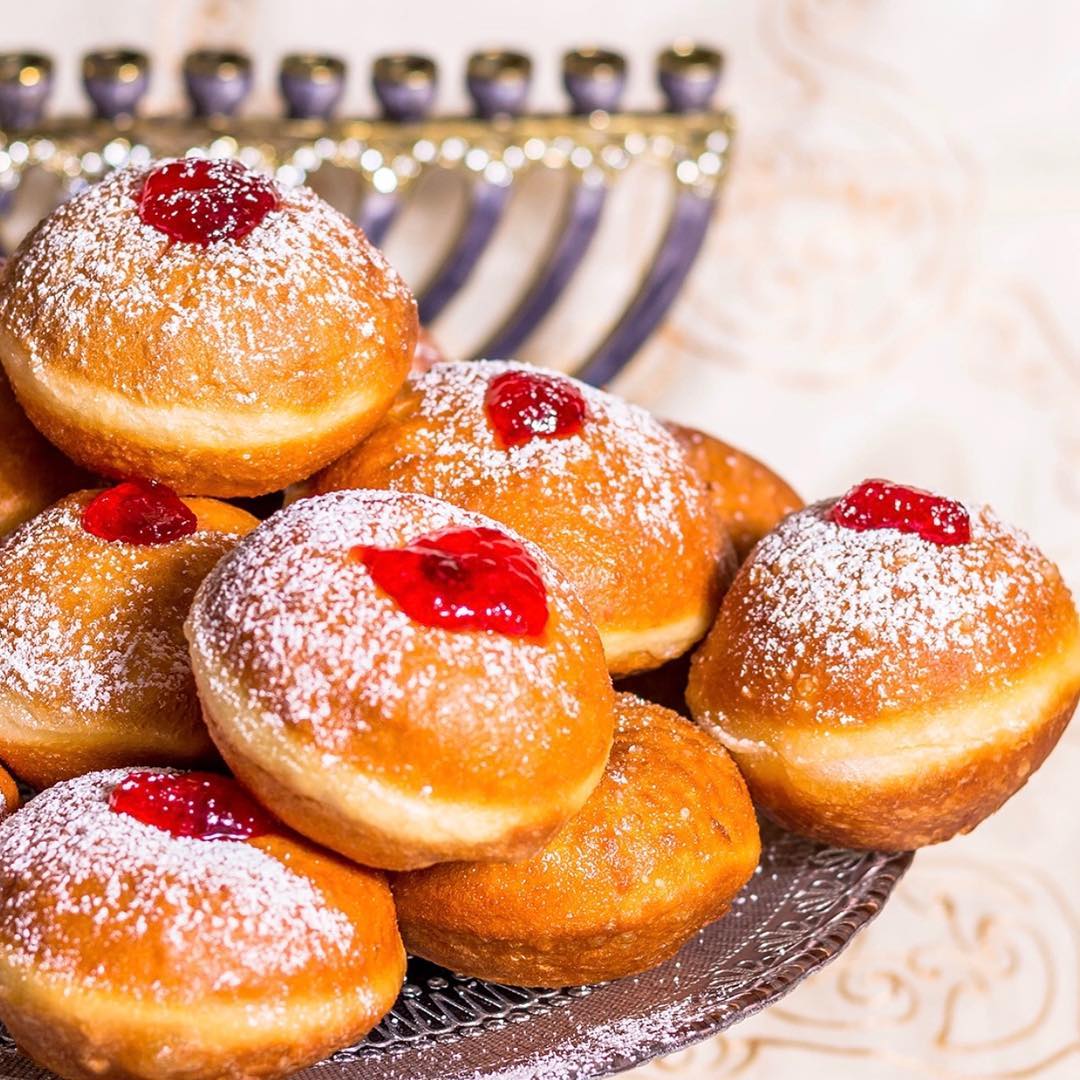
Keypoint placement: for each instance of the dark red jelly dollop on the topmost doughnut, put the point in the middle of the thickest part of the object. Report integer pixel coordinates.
(206, 200)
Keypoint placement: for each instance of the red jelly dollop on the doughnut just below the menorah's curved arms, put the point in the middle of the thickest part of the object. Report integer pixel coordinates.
(526, 406)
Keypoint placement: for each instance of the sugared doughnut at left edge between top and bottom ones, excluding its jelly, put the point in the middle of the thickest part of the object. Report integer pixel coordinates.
(94, 669)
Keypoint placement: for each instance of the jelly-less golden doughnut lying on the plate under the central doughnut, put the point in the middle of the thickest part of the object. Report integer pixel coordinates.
(659, 850)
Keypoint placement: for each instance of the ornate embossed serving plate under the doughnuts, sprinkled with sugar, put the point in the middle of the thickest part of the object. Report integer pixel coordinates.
(802, 908)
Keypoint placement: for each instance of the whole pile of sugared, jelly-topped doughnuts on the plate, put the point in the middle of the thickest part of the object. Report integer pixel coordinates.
(274, 755)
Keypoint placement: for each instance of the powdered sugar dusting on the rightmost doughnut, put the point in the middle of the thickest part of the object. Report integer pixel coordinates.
(882, 609)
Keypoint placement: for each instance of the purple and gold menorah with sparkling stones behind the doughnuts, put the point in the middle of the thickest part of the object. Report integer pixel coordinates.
(595, 143)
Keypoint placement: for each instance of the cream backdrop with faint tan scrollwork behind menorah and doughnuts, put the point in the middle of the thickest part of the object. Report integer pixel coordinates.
(894, 289)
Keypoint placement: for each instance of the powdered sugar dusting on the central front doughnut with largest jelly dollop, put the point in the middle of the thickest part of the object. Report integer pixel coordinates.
(292, 605)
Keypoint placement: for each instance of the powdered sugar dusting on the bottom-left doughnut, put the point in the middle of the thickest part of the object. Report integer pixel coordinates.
(66, 854)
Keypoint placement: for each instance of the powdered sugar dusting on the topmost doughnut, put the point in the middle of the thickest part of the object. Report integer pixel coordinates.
(94, 272)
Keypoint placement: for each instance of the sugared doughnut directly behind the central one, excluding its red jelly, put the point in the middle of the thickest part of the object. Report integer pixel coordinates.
(617, 507)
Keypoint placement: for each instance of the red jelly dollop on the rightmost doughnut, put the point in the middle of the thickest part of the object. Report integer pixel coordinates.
(880, 505)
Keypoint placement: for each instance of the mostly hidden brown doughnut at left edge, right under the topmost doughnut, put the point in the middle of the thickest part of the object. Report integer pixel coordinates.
(33, 472)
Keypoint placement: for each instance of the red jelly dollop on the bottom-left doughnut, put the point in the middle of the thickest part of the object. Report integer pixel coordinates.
(199, 805)
